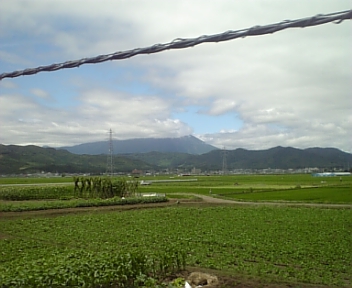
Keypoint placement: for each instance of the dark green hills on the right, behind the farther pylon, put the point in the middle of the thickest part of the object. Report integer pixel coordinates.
(275, 158)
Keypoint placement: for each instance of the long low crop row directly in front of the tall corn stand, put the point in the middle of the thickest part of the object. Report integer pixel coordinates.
(76, 203)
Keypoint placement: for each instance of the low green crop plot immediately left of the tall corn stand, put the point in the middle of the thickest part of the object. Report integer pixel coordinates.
(22, 193)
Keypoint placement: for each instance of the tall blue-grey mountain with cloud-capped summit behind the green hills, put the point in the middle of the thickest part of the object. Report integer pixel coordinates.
(187, 144)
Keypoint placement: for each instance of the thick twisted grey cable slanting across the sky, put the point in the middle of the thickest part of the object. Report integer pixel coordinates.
(180, 43)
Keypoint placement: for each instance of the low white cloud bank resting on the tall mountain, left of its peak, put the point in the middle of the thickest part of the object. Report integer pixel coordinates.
(28, 122)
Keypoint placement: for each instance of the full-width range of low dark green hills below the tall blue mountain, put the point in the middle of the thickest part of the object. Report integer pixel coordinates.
(29, 159)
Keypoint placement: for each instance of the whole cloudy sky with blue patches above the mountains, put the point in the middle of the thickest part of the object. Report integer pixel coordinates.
(290, 88)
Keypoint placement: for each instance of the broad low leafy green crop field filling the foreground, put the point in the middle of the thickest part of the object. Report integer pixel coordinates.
(307, 245)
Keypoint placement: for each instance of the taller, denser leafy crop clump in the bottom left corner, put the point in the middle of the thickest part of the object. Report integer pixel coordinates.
(84, 269)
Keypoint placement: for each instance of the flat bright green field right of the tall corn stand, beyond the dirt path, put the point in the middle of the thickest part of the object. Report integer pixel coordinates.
(261, 187)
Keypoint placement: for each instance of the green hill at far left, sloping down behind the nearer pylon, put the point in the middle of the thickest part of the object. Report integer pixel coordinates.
(32, 159)
